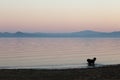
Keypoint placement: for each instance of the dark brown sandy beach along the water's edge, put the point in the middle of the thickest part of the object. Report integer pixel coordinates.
(101, 73)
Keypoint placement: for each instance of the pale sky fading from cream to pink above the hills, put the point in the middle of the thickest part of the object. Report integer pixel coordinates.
(59, 15)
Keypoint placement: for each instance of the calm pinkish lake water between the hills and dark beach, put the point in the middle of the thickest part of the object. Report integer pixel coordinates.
(57, 52)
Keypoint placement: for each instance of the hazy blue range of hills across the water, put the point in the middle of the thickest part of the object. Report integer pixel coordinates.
(86, 33)
